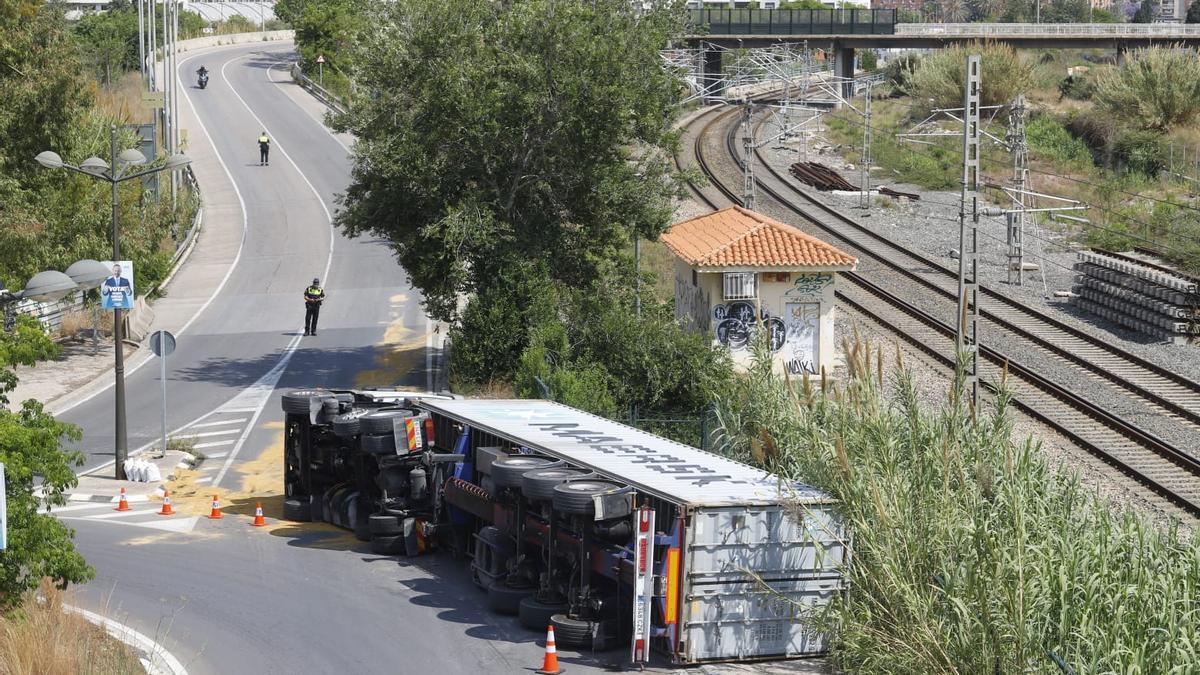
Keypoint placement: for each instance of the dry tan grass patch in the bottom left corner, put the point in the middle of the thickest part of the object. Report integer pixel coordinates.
(40, 638)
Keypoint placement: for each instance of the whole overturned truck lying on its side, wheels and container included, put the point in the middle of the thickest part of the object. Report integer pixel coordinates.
(611, 535)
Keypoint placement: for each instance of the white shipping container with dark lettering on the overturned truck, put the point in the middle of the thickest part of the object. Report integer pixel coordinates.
(742, 558)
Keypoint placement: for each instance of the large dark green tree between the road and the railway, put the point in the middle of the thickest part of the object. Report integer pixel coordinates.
(500, 134)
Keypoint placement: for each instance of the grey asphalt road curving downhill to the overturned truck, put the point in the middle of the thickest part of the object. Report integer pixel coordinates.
(230, 599)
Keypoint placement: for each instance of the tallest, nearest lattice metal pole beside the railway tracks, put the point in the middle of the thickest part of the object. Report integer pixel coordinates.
(969, 234)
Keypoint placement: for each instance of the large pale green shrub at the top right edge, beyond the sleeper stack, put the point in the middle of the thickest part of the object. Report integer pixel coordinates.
(1159, 88)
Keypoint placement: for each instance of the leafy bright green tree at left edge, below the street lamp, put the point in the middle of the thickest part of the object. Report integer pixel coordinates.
(39, 545)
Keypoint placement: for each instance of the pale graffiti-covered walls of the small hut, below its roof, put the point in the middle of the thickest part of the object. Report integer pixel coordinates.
(795, 309)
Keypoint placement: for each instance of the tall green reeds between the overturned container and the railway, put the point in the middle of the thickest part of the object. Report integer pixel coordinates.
(971, 554)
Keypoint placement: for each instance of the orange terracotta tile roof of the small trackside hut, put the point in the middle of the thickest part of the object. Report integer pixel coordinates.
(737, 237)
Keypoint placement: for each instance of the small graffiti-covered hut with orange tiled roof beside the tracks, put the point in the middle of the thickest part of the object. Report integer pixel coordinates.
(739, 272)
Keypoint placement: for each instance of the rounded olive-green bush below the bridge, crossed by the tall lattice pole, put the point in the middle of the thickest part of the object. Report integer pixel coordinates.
(939, 79)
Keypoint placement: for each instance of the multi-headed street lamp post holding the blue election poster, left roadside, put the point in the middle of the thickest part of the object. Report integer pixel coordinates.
(115, 174)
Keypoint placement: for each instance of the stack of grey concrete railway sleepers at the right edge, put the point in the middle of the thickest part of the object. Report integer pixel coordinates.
(1138, 295)
